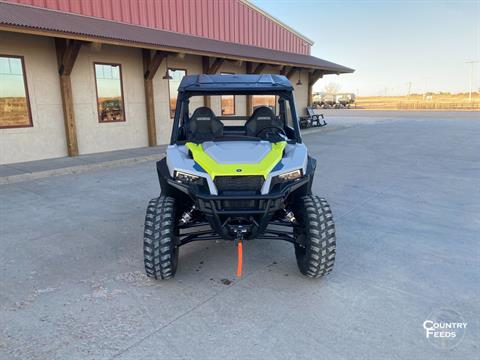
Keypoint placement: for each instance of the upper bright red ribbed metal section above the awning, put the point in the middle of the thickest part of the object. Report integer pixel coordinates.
(225, 20)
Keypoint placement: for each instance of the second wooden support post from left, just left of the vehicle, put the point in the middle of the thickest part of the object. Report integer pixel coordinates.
(150, 67)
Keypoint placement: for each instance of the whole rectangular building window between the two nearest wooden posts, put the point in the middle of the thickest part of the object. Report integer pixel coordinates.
(108, 78)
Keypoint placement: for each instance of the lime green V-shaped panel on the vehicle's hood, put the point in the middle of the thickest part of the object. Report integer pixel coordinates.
(214, 168)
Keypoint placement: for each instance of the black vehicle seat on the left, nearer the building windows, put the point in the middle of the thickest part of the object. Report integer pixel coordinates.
(203, 125)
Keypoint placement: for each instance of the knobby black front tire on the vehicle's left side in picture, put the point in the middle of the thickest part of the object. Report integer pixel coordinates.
(160, 251)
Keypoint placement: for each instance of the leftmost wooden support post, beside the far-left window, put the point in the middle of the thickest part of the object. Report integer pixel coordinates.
(67, 52)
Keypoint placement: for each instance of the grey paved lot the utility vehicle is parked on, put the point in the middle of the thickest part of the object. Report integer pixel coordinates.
(405, 192)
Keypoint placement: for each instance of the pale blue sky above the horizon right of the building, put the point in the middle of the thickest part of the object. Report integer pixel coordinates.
(389, 43)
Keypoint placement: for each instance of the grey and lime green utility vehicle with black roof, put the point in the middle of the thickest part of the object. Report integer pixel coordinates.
(237, 178)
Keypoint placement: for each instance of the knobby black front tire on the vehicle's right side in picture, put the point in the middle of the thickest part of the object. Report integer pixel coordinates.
(315, 251)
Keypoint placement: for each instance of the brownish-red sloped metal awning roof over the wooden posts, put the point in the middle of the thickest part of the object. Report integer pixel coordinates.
(56, 23)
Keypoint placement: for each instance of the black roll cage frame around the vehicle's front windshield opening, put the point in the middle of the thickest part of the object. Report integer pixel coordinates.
(183, 100)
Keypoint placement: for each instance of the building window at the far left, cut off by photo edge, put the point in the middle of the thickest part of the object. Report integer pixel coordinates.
(14, 103)
